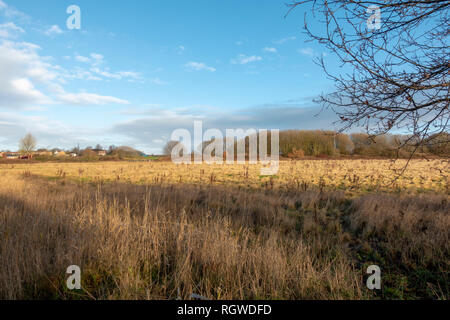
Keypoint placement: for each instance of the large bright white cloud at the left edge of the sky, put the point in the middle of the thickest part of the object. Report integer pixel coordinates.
(28, 80)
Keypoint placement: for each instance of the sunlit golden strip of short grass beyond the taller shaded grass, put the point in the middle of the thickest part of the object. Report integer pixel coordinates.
(353, 176)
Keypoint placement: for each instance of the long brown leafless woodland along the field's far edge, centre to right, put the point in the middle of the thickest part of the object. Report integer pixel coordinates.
(297, 144)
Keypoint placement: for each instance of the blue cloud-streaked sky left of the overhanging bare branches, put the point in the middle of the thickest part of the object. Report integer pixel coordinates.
(137, 70)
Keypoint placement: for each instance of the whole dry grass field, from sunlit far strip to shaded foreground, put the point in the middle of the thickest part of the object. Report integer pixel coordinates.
(155, 230)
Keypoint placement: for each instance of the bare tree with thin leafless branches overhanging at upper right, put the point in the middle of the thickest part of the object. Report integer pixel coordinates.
(395, 73)
